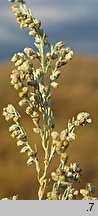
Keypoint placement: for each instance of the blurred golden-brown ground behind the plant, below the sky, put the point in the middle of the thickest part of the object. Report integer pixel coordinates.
(78, 91)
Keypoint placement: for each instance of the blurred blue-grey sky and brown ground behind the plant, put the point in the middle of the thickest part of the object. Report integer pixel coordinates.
(76, 23)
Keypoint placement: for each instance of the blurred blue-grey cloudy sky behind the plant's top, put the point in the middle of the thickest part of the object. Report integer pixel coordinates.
(73, 21)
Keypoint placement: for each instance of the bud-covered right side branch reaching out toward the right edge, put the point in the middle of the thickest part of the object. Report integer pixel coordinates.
(61, 141)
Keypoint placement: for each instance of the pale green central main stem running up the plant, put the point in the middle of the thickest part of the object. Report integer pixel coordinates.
(46, 130)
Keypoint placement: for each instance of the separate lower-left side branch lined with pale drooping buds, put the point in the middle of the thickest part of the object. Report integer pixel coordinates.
(18, 132)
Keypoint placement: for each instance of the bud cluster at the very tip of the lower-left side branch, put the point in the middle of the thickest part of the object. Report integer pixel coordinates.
(10, 113)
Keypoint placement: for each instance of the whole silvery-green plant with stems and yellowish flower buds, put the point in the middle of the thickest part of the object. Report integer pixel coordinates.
(35, 94)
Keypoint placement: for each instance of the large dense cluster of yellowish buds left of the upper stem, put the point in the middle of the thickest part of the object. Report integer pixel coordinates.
(24, 74)
